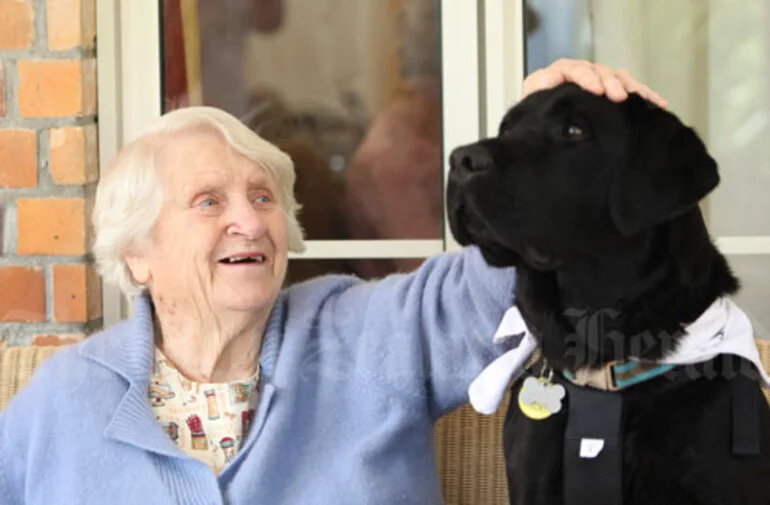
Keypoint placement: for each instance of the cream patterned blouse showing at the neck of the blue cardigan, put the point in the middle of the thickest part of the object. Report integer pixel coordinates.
(206, 421)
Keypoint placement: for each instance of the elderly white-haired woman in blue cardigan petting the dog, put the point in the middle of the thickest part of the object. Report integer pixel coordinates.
(224, 388)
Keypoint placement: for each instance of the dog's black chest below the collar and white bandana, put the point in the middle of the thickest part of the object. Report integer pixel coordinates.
(665, 449)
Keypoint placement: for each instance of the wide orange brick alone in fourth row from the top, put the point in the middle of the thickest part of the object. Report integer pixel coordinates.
(51, 226)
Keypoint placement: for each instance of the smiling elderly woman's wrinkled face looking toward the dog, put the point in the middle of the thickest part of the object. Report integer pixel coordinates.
(220, 241)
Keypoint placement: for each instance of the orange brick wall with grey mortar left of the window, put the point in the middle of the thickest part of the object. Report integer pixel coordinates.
(49, 293)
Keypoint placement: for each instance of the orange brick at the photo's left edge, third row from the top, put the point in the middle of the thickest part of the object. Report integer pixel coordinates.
(18, 158)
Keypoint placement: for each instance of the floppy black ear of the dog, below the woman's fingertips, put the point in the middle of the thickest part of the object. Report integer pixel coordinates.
(666, 172)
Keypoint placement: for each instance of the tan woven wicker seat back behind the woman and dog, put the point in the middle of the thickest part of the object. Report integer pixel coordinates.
(468, 445)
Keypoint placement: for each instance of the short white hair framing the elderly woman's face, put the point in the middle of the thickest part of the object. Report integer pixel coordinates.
(129, 196)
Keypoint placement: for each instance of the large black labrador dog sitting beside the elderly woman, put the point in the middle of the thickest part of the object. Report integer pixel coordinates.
(597, 205)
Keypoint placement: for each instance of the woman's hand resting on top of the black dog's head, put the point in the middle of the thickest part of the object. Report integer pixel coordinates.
(594, 77)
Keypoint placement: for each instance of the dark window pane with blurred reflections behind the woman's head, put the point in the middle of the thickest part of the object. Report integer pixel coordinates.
(349, 88)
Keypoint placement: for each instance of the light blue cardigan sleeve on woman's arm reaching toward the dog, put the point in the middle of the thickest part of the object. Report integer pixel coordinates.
(429, 332)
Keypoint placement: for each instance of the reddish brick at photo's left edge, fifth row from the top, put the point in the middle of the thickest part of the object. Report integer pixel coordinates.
(24, 294)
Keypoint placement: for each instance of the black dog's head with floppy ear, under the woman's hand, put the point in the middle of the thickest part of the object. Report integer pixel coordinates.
(571, 173)
